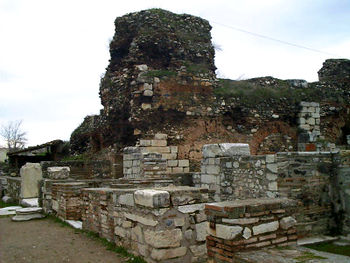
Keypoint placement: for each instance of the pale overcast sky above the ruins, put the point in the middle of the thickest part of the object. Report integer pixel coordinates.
(53, 52)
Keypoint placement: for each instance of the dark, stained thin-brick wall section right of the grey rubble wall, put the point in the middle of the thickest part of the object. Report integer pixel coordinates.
(307, 177)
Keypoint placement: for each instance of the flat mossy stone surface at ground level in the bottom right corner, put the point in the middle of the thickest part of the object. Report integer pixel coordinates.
(292, 254)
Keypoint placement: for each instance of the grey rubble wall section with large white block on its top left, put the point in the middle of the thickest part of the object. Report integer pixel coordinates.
(233, 173)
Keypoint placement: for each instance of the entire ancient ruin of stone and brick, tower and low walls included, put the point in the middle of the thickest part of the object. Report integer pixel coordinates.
(181, 166)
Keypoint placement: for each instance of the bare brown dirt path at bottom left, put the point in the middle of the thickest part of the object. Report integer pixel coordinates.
(44, 240)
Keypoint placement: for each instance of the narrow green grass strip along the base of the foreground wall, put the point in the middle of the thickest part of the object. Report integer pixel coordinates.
(109, 245)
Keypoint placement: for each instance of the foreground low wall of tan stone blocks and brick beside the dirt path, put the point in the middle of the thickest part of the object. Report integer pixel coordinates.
(162, 225)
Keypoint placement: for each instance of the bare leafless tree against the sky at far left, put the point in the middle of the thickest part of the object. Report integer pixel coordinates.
(13, 135)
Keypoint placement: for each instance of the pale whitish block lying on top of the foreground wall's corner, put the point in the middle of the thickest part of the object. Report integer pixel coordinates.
(152, 198)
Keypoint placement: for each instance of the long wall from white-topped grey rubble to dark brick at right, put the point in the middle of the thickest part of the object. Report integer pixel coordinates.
(308, 177)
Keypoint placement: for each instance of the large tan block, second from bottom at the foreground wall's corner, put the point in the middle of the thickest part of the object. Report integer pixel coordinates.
(163, 239)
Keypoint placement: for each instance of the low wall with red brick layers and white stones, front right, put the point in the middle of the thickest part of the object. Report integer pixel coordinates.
(247, 225)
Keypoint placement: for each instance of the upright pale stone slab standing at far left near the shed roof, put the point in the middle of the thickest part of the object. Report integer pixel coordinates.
(31, 174)
